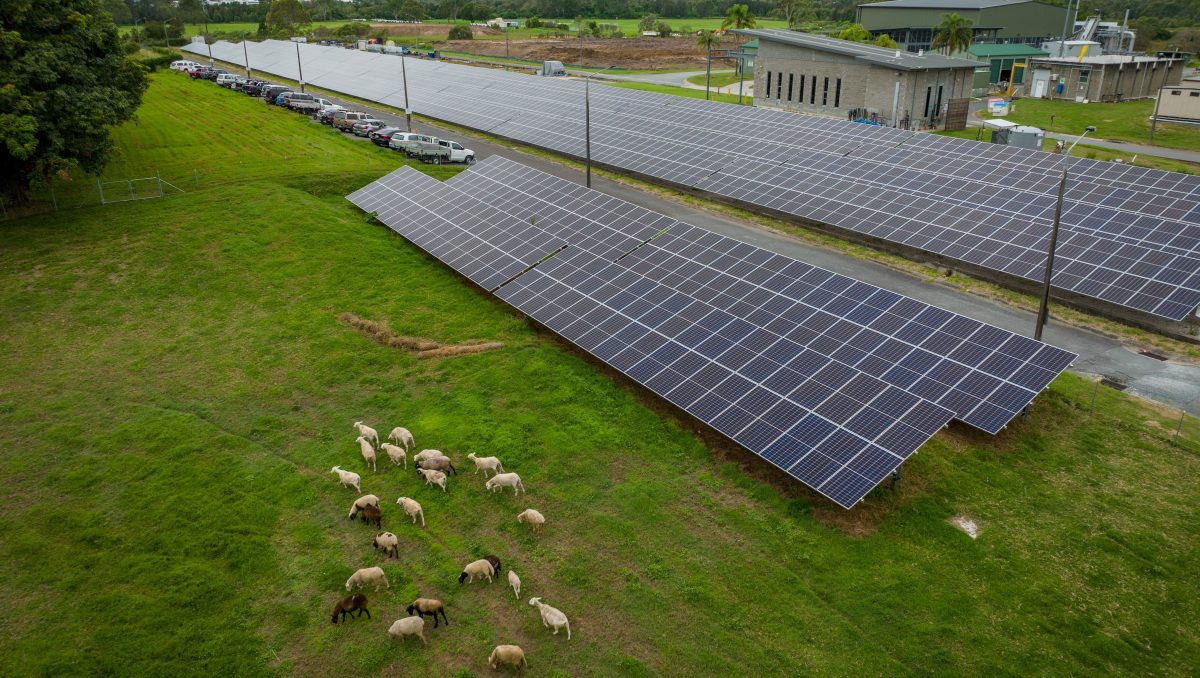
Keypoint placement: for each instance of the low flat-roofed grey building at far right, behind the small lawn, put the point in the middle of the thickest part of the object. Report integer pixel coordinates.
(1108, 79)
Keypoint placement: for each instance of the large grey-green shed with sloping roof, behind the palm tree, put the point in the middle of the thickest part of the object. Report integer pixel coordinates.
(911, 22)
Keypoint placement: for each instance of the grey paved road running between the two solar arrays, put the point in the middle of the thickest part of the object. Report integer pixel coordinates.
(1171, 383)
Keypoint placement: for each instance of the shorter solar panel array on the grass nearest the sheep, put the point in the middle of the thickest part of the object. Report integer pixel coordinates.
(831, 380)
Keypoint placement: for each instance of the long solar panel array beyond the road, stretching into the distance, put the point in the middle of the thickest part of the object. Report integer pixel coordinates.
(1131, 236)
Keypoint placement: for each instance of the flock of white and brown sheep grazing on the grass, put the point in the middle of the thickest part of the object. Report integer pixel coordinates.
(433, 466)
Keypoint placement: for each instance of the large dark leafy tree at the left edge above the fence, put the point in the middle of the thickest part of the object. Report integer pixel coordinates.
(68, 80)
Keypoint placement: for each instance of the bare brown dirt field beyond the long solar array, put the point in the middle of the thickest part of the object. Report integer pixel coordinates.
(635, 53)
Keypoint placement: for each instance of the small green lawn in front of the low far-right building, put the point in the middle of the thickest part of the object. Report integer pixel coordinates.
(1127, 122)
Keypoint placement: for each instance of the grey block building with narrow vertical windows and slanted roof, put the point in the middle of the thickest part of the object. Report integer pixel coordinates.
(812, 74)
